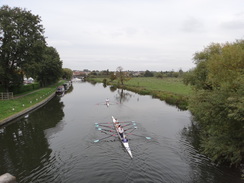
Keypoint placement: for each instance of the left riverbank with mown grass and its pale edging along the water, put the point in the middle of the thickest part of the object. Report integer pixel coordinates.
(21, 105)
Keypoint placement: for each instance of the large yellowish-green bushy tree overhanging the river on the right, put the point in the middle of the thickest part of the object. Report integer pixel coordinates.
(218, 104)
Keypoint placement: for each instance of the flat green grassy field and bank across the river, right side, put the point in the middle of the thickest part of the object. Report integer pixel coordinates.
(171, 90)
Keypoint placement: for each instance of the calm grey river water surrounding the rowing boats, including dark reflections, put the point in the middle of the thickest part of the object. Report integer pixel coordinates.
(56, 142)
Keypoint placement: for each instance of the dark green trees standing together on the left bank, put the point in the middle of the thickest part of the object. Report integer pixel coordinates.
(24, 51)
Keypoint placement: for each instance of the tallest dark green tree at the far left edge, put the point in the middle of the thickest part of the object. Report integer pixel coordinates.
(21, 44)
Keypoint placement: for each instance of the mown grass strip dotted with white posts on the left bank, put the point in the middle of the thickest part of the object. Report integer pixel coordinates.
(20, 103)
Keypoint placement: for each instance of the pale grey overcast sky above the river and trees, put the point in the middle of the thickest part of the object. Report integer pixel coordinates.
(155, 35)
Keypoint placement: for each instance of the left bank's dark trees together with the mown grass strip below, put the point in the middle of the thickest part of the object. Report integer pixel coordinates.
(24, 53)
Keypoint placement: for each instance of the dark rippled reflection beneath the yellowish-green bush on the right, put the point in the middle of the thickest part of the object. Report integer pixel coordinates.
(201, 164)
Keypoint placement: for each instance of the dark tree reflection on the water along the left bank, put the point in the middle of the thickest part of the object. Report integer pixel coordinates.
(24, 145)
